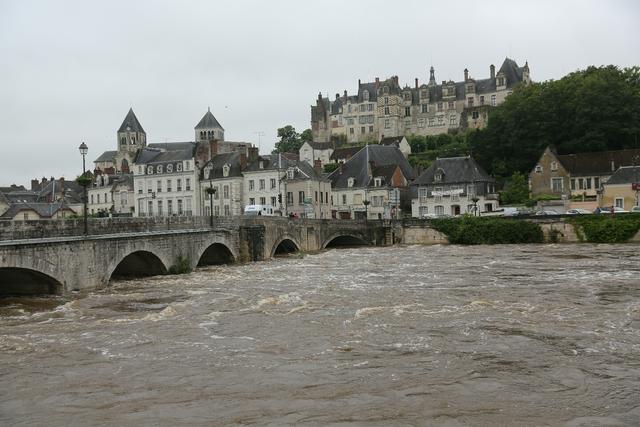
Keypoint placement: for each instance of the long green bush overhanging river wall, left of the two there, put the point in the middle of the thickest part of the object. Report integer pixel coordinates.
(470, 230)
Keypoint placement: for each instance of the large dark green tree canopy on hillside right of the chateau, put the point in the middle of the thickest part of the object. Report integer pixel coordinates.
(590, 110)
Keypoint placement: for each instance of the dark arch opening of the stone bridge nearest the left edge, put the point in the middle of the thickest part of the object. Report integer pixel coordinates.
(27, 281)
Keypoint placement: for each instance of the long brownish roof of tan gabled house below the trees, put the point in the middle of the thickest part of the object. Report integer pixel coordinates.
(598, 163)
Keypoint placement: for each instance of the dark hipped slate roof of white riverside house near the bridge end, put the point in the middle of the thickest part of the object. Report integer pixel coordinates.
(456, 170)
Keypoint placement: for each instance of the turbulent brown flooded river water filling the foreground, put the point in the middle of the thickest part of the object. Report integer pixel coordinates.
(526, 335)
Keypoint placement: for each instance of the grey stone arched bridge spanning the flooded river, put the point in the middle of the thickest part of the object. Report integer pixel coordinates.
(55, 257)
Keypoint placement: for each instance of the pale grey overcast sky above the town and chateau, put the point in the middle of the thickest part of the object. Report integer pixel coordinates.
(70, 70)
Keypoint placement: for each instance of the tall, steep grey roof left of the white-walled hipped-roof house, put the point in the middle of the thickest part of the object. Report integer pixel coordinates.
(369, 158)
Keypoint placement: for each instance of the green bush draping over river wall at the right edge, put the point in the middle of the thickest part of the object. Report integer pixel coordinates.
(607, 228)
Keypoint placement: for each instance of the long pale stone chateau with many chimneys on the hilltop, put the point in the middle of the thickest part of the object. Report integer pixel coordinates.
(384, 108)
